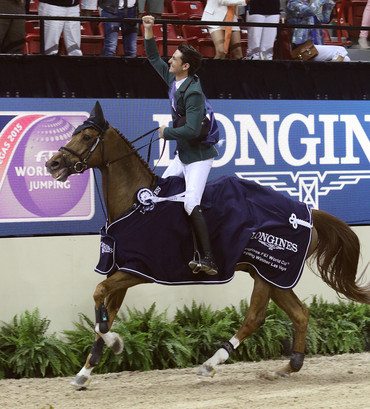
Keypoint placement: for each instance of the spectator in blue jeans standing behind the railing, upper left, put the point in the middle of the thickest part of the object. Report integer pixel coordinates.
(121, 9)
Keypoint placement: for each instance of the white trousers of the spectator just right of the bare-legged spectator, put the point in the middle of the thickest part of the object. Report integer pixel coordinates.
(261, 39)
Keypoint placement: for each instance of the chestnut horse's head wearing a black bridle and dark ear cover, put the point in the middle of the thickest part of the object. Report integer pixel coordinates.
(80, 152)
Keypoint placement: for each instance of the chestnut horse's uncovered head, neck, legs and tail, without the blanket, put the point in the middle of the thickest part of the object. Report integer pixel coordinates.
(334, 247)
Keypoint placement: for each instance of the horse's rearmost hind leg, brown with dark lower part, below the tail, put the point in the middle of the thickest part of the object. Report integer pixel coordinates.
(299, 314)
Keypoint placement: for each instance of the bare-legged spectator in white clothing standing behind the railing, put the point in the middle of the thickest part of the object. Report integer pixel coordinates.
(217, 10)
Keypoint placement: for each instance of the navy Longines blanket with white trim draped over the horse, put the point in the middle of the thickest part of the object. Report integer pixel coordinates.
(248, 223)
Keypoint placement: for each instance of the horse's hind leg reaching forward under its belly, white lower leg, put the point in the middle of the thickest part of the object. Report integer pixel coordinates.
(254, 318)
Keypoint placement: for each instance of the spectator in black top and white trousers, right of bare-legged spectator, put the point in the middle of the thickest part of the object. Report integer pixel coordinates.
(261, 39)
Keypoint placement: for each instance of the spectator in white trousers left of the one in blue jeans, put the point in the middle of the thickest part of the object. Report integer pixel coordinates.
(54, 28)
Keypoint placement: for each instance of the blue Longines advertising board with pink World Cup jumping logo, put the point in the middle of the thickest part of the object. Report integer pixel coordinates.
(313, 151)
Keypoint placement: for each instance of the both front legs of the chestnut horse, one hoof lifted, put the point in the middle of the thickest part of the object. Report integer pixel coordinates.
(108, 297)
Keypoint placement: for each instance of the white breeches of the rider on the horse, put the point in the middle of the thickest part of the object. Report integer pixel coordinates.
(195, 174)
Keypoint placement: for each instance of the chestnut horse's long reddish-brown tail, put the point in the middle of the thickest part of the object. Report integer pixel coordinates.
(337, 255)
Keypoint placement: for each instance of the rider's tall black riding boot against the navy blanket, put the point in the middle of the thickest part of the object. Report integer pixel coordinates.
(203, 258)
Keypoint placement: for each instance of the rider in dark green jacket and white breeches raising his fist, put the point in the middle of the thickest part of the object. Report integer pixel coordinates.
(194, 156)
